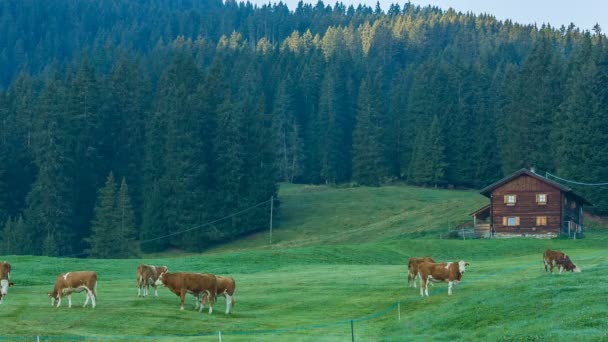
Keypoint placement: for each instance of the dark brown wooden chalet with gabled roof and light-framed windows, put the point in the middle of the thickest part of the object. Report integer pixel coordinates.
(527, 204)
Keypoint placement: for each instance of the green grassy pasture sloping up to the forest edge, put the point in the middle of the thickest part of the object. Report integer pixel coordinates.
(339, 256)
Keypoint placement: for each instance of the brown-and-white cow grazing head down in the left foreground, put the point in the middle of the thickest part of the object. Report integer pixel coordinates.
(70, 282)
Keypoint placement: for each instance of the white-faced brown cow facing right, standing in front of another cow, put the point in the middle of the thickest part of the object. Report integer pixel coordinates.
(450, 272)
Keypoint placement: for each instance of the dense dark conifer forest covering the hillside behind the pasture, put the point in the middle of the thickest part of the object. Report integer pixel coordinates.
(130, 126)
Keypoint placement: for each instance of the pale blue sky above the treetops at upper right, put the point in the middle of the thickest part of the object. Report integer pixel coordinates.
(583, 13)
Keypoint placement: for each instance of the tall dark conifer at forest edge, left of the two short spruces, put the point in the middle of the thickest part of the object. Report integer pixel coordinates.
(50, 203)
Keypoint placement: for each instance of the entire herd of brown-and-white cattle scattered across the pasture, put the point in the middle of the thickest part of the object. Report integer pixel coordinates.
(206, 287)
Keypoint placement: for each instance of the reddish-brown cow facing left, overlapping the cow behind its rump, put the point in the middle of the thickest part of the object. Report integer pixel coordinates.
(181, 283)
